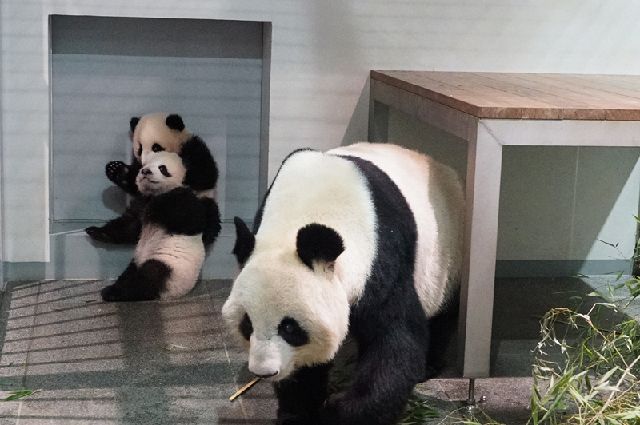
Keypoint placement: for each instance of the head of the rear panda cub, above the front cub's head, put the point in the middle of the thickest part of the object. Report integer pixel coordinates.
(157, 132)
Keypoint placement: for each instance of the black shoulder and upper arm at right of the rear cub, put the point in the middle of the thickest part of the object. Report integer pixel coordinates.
(202, 171)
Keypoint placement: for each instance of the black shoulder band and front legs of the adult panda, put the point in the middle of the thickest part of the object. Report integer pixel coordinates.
(388, 324)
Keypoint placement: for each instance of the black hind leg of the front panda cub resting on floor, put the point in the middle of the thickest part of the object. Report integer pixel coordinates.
(142, 283)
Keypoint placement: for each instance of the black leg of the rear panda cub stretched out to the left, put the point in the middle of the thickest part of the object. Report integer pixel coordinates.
(124, 229)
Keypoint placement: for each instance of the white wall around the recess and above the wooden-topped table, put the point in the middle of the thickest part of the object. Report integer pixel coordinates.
(321, 54)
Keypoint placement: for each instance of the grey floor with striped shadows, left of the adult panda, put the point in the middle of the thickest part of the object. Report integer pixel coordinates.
(151, 362)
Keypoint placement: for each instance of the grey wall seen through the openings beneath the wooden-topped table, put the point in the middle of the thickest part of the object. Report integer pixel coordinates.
(562, 209)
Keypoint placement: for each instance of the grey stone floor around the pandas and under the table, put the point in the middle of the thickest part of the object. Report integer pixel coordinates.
(173, 362)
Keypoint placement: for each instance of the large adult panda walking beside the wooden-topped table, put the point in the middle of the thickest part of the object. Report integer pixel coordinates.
(366, 239)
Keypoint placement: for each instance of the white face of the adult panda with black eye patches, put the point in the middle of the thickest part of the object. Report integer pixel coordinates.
(286, 313)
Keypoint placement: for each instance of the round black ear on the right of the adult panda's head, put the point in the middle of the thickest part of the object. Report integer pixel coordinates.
(316, 242)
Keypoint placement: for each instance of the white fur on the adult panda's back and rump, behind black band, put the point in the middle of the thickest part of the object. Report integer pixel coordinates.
(434, 194)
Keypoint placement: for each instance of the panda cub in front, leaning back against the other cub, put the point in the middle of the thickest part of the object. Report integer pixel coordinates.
(170, 252)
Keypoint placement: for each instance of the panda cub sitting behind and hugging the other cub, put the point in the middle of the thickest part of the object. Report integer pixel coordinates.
(150, 133)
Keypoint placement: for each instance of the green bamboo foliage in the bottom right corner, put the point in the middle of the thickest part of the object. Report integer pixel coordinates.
(584, 373)
